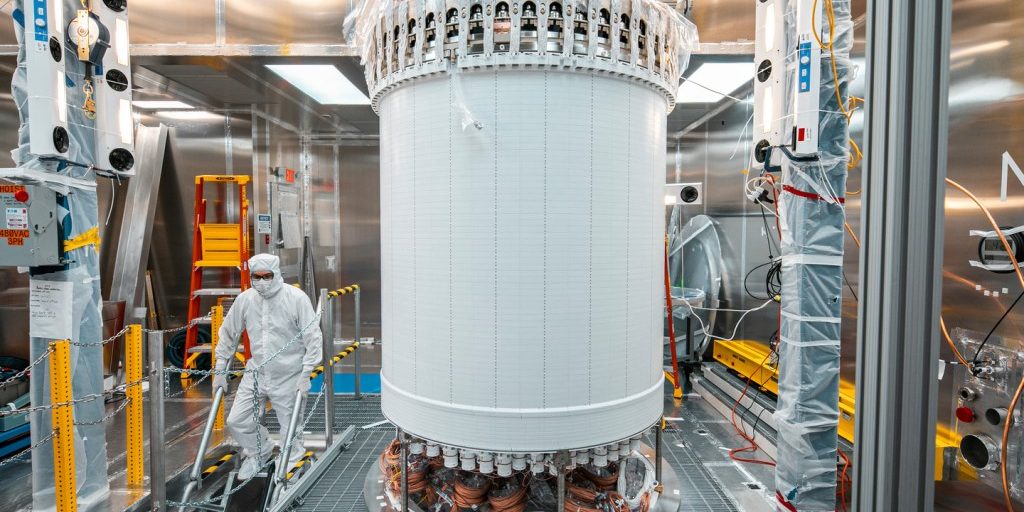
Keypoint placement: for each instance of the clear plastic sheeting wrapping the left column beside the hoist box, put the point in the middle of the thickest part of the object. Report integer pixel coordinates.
(78, 214)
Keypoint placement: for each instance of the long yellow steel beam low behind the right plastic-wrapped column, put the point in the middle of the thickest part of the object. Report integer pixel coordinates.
(752, 361)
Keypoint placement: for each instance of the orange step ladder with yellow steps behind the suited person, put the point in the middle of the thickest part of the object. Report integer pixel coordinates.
(217, 246)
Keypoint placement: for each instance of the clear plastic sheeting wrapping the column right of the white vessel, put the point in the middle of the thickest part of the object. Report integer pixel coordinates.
(813, 219)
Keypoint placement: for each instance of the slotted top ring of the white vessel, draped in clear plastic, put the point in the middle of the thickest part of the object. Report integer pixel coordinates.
(641, 39)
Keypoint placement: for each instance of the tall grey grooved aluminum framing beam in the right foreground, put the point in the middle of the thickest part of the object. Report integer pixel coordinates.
(902, 261)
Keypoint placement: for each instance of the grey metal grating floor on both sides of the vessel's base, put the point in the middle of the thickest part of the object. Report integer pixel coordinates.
(710, 482)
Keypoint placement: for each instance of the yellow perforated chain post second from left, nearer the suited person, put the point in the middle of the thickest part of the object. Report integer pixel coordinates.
(134, 417)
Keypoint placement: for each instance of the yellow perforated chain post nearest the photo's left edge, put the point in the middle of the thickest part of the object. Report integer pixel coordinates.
(63, 416)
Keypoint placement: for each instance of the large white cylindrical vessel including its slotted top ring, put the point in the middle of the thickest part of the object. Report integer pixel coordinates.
(523, 227)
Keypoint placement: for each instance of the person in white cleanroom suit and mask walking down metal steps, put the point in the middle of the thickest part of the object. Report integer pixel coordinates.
(275, 316)
